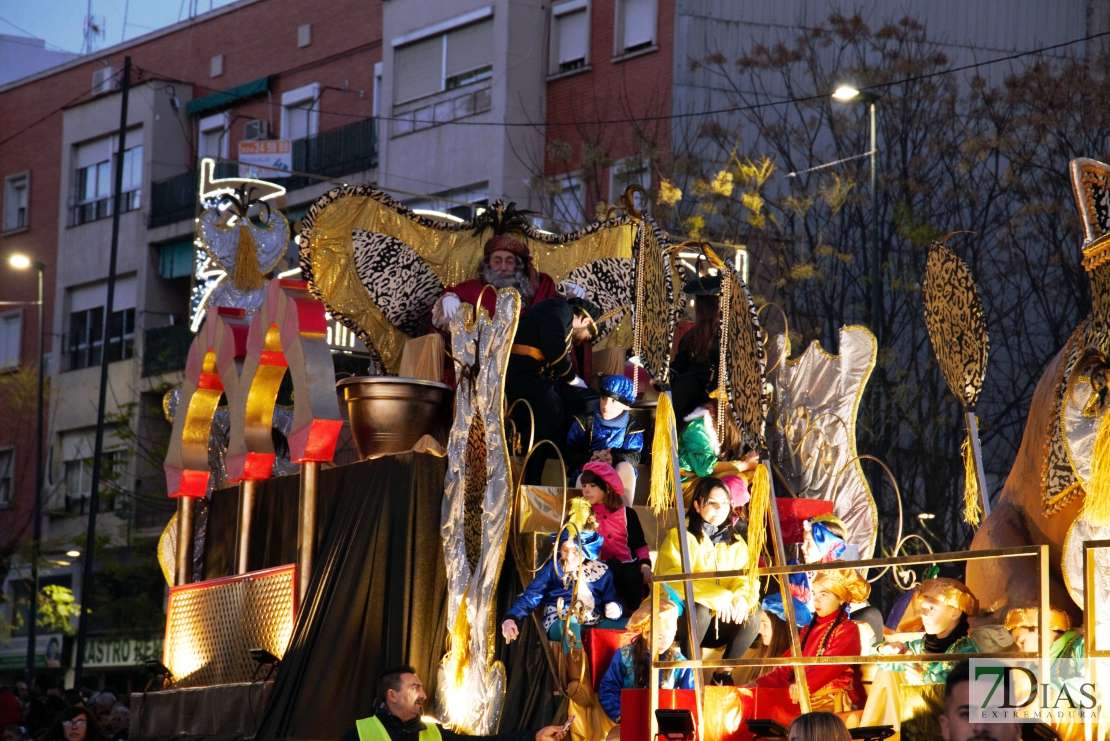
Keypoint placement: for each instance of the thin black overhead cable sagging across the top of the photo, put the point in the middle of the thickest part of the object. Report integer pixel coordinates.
(671, 117)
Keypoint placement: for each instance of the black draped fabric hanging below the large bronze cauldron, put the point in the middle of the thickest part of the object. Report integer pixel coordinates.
(378, 597)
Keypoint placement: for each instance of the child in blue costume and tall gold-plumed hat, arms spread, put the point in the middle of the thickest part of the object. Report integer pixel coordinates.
(596, 598)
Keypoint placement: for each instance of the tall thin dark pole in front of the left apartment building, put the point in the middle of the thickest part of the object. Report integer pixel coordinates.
(106, 347)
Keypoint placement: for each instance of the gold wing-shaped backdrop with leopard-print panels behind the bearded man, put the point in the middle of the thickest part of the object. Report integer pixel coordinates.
(450, 253)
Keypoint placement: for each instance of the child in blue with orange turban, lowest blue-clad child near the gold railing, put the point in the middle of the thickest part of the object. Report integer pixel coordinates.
(629, 668)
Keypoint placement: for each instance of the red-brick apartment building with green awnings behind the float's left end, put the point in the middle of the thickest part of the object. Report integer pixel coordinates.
(254, 70)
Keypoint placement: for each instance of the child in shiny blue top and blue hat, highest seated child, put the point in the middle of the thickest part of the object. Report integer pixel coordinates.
(611, 437)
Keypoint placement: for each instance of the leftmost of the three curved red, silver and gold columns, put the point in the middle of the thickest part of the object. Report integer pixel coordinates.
(213, 370)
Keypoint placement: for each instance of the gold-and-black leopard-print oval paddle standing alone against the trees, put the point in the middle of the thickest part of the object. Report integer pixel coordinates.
(956, 322)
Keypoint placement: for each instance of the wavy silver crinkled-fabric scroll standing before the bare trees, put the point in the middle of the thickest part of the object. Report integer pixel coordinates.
(813, 432)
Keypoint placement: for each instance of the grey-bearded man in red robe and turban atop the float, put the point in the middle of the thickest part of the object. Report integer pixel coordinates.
(507, 265)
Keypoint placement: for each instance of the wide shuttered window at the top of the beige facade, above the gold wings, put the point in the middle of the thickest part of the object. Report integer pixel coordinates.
(443, 57)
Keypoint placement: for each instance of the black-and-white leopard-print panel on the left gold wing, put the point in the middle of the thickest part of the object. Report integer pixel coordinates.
(399, 281)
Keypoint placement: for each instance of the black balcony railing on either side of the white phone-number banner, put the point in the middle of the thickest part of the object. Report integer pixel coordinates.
(332, 154)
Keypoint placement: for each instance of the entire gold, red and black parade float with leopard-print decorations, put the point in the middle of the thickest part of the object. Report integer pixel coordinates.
(306, 580)
